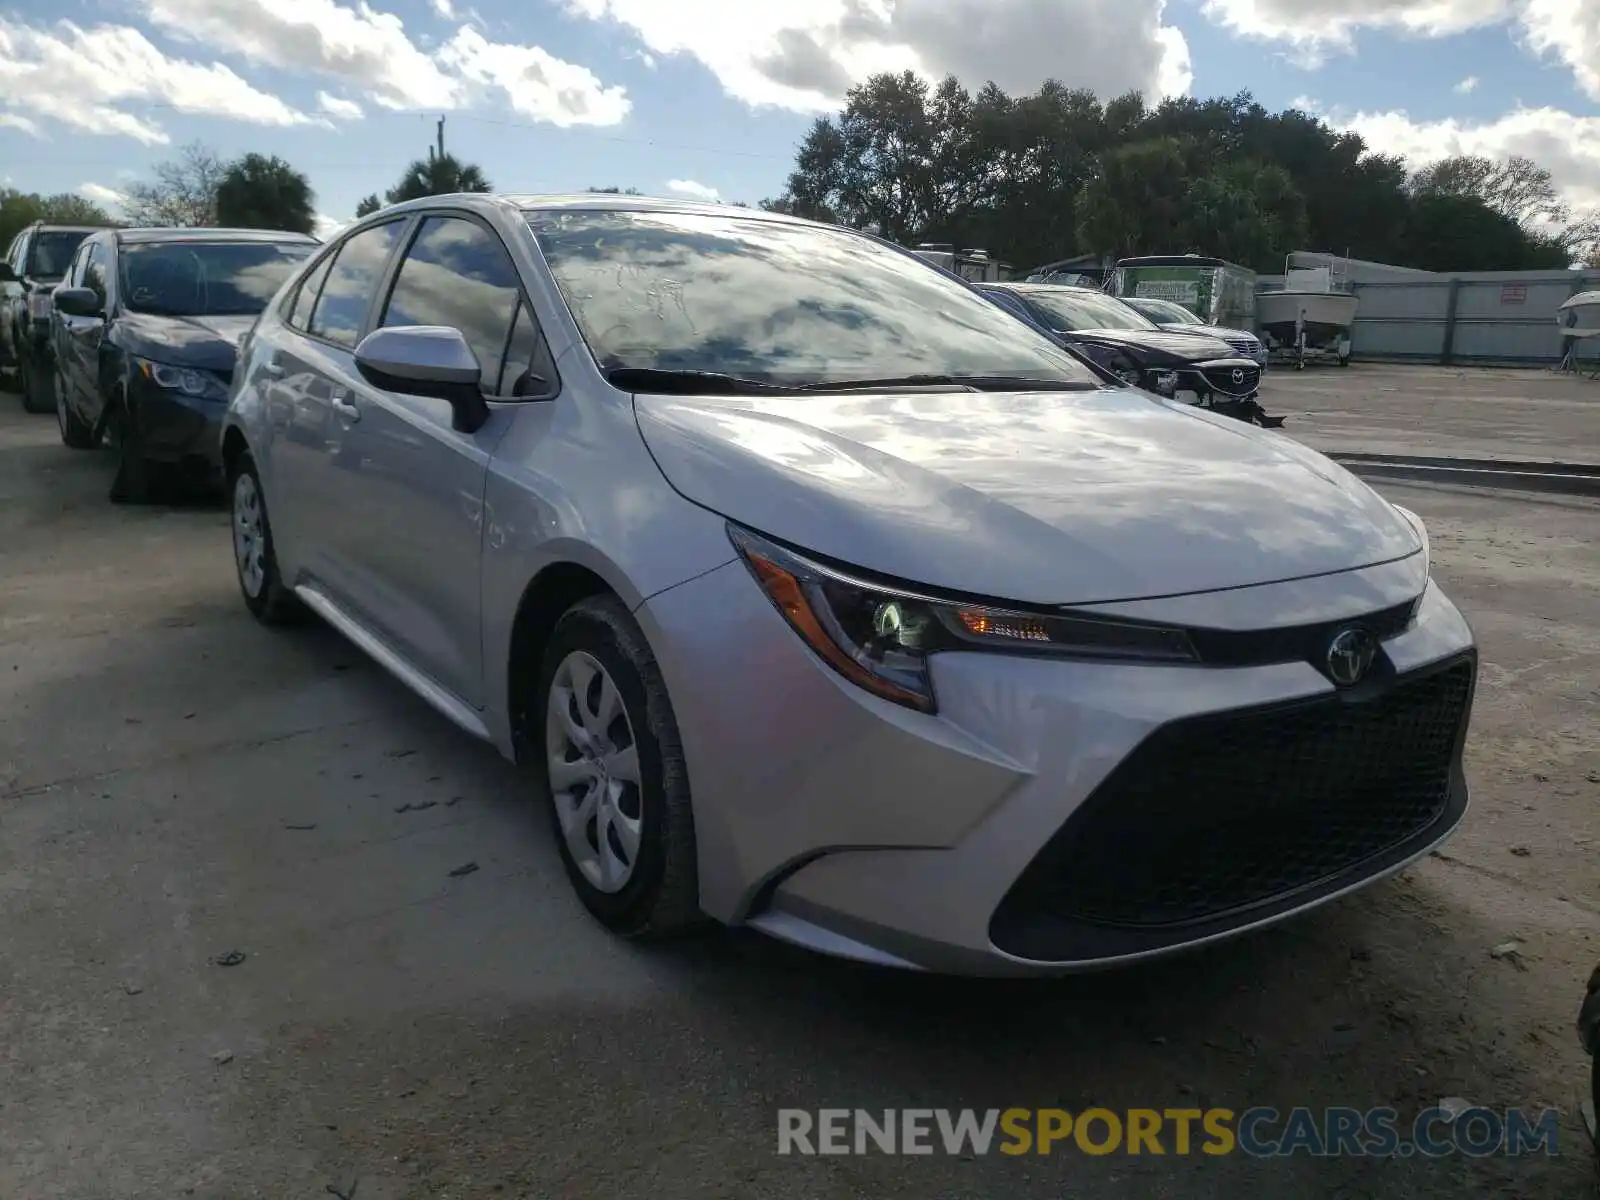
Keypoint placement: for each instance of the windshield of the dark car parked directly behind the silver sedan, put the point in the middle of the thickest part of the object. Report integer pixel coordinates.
(207, 279)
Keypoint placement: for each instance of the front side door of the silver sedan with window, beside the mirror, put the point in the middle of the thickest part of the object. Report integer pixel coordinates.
(412, 500)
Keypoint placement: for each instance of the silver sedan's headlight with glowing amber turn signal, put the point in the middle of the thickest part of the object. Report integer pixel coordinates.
(881, 638)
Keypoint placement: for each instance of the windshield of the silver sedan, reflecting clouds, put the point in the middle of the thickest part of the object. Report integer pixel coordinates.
(775, 302)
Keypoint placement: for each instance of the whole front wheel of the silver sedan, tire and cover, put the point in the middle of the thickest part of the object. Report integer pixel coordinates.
(615, 774)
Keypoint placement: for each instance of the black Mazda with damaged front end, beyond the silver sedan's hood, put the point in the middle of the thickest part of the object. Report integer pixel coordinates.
(1188, 367)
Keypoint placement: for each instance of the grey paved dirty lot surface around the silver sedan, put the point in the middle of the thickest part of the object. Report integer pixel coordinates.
(178, 783)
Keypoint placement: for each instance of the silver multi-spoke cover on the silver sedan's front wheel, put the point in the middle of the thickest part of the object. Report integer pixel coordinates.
(594, 772)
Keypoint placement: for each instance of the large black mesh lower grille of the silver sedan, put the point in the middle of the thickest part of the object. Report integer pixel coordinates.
(1234, 812)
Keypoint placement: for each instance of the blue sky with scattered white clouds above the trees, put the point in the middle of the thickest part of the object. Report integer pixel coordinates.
(711, 97)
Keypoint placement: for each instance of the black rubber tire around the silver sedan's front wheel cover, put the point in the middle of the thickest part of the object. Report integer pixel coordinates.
(662, 895)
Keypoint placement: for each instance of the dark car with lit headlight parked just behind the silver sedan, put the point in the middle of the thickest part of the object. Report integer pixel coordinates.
(146, 330)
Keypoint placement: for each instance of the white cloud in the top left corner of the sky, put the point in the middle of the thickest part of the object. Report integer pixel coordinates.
(81, 78)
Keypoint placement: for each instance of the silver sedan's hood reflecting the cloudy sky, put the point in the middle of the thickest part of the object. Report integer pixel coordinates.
(1039, 497)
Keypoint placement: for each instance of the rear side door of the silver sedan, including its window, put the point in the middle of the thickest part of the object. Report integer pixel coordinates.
(302, 374)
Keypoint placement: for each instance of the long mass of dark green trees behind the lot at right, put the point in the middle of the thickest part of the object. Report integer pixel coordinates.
(1060, 174)
